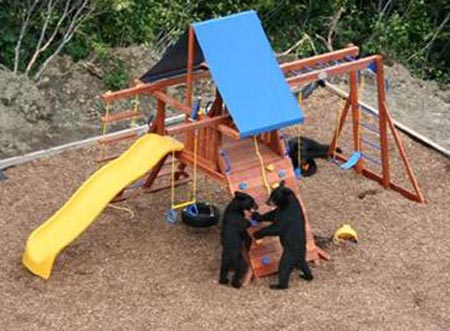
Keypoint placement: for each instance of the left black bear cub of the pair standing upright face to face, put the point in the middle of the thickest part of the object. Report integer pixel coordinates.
(233, 236)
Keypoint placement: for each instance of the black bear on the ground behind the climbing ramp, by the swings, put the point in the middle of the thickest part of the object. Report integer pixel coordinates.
(309, 150)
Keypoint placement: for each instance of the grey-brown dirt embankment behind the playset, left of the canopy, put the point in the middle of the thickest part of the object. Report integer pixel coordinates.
(59, 108)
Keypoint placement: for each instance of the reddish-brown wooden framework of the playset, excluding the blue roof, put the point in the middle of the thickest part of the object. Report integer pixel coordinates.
(215, 129)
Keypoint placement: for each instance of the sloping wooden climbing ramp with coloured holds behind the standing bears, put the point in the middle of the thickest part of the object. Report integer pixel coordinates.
(243, 172)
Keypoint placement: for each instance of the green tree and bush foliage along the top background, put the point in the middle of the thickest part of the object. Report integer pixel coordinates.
(414, 32)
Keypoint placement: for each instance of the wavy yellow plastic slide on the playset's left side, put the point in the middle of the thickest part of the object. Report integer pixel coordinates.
(90, 199)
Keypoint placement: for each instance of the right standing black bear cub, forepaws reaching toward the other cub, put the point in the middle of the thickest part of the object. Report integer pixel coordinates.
(289, 224)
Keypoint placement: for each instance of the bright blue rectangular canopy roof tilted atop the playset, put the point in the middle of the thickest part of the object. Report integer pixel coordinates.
(247, 74)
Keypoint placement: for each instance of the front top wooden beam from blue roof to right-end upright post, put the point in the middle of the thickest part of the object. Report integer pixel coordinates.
(331, 71)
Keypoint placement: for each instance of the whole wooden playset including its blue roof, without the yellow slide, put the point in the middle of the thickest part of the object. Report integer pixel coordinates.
(238, 144)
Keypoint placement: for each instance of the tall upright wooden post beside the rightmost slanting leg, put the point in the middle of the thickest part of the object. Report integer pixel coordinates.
(382, 121)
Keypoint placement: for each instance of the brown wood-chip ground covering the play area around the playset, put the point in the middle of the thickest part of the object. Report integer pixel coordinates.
(144, 274)
